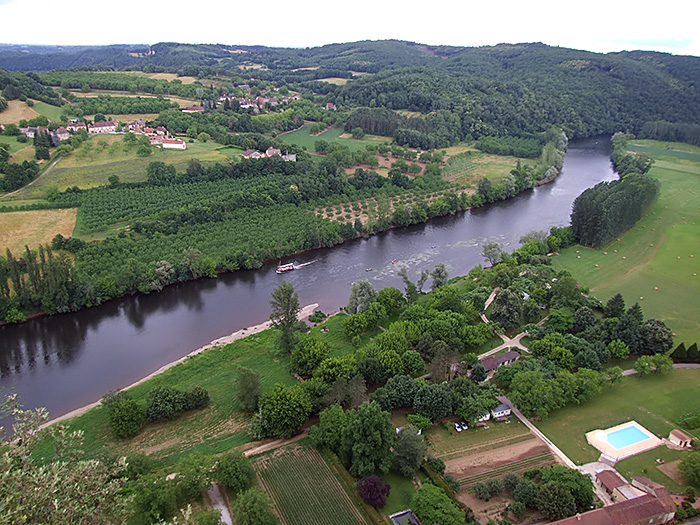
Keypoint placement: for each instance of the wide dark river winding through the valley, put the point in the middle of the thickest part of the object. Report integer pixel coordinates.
(66, 361)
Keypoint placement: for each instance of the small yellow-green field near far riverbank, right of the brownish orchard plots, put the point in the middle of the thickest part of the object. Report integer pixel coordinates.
(467, 168)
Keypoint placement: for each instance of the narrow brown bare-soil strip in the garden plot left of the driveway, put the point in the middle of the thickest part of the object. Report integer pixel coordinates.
(469, 465)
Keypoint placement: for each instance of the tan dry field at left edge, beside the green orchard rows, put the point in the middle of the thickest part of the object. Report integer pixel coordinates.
(32, 228)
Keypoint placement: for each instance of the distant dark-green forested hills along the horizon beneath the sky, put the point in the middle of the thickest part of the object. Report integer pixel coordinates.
(508, 89)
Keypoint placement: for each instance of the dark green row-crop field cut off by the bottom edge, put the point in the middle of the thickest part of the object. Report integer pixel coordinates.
(303, 488)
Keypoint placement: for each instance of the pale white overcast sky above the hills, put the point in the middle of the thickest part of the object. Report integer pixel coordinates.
(594, 25)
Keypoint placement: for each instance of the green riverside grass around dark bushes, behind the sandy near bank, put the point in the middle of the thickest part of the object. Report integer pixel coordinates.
(217, 428)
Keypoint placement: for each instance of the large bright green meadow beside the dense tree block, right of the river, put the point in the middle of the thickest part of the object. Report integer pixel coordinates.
(657, 261)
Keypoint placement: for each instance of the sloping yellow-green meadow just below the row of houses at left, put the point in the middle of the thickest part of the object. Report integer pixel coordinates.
(96, 160)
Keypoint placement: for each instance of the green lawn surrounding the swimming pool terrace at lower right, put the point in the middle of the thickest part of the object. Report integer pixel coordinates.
(657, 402)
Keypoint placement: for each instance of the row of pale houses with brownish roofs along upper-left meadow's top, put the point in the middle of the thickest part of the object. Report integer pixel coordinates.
(159, 136)
